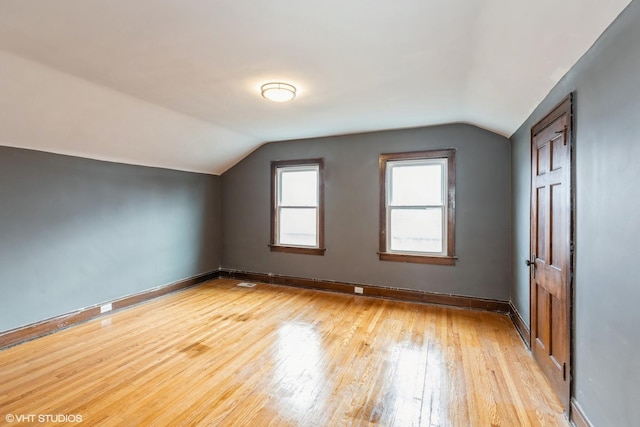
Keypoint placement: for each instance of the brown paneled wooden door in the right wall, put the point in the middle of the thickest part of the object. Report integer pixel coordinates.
(551, 254)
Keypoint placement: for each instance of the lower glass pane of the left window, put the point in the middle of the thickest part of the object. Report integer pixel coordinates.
(298, 227)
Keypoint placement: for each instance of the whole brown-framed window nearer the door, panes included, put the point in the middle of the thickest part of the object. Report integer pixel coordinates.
(417, 207)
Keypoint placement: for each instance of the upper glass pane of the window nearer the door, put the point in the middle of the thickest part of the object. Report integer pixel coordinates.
(416, 184)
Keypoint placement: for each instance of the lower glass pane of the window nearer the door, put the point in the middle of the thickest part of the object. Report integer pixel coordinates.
(416, 230)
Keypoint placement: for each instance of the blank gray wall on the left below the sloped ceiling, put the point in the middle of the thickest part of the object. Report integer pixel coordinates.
(77, 232)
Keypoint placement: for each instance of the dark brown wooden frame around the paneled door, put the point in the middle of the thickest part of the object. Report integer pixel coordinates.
(566, 106)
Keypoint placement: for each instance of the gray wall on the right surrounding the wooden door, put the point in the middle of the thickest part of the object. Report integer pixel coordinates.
(607, 283)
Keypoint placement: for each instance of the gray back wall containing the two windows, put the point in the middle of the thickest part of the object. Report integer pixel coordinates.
(483, 200)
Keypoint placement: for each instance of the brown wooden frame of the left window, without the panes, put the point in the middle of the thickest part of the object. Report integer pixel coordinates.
(274, 245)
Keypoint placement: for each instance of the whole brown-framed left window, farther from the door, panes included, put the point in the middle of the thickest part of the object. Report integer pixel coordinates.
(297, 199)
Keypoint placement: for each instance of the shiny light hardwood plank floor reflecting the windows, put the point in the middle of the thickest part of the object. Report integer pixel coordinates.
(222, 355)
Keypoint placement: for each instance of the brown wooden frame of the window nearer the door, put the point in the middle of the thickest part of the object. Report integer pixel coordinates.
(385, 253)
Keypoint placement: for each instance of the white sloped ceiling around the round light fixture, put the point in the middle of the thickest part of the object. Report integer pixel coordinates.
(174, 83)
